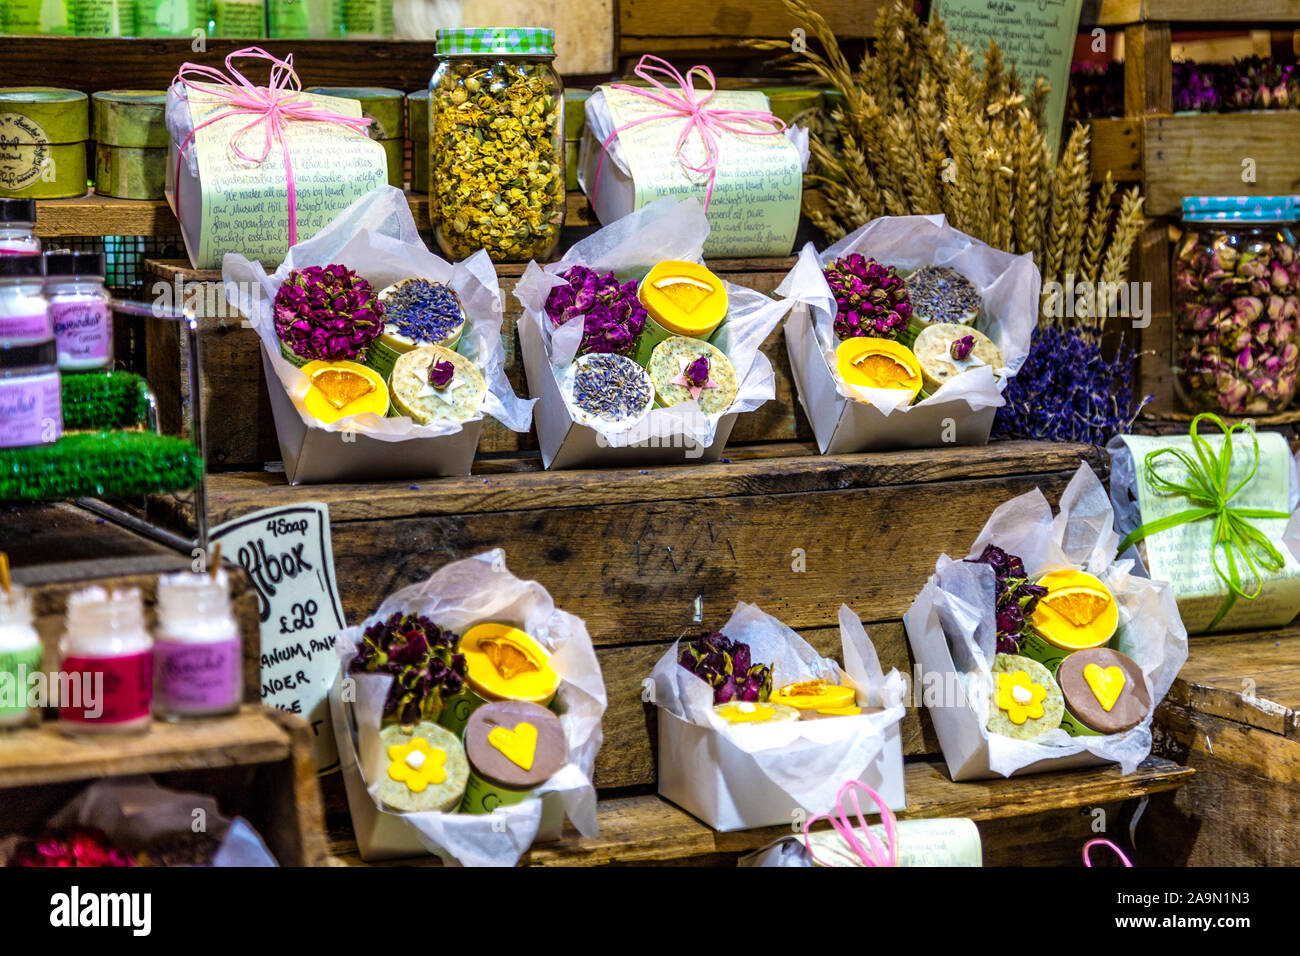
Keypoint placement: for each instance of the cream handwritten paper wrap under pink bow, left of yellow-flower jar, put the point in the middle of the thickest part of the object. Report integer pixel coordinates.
(246, 205)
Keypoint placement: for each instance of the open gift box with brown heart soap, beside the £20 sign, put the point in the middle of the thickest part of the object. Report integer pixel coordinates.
(467, 713)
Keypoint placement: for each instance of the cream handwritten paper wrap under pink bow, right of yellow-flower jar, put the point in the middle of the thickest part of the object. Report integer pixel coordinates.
(756, 205)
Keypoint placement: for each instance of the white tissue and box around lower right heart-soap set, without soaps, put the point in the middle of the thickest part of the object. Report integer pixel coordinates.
(954, 634)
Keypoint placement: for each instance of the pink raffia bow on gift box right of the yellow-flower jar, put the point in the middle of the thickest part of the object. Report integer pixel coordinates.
(694, 107)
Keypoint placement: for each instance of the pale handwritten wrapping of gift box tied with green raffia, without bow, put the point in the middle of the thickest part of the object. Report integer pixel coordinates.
(1182, 556)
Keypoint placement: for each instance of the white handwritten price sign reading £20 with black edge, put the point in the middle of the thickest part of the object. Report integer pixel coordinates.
(289, 556)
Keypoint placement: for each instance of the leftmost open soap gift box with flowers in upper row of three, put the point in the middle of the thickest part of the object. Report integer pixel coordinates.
(382, 358)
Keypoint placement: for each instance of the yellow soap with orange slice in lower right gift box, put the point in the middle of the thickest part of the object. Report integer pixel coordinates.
(1078, 613)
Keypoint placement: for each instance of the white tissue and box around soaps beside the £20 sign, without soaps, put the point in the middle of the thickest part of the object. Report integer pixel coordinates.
(458, 596)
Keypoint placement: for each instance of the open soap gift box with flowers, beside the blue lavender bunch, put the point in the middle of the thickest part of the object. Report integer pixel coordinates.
(905, 332)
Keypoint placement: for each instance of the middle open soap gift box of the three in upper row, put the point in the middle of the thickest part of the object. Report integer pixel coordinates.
(636, 352)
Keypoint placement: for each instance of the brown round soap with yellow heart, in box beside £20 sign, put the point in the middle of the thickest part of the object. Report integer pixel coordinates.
(515, 745)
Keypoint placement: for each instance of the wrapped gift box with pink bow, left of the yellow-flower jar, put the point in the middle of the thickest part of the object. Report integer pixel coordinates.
(245, 180)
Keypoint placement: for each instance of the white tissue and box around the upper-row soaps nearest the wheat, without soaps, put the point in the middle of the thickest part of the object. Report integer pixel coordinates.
(961, 413)
